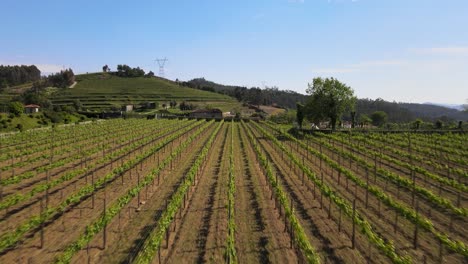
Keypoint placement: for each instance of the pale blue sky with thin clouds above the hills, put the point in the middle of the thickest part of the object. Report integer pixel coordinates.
(402, 50)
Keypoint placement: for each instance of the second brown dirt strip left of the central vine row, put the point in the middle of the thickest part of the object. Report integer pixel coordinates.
(126, 234)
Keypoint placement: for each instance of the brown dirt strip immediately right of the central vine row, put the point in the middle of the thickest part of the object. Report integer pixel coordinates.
(260, 232)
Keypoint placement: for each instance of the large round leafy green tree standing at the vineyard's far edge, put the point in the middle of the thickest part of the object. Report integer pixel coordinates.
(328, 100)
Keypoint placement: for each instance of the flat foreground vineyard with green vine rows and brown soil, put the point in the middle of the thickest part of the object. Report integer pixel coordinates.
(188, 191)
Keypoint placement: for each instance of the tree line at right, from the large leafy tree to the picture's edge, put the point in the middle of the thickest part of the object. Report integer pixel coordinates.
(331, 101)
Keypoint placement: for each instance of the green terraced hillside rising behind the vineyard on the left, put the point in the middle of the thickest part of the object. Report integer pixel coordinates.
(99, 91)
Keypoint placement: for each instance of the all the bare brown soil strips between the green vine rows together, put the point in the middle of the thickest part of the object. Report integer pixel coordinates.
(199, 232)
